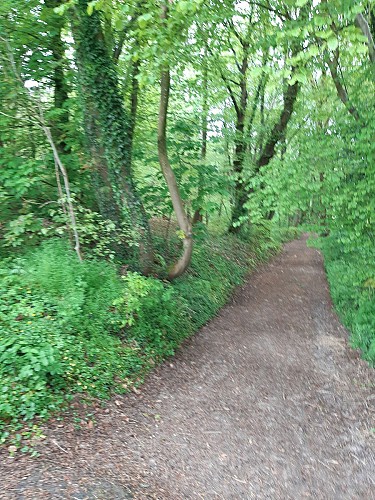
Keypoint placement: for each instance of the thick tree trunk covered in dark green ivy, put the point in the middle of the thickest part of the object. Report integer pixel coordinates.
(107, 131)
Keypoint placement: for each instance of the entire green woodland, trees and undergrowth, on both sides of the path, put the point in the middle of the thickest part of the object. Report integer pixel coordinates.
(134, 136)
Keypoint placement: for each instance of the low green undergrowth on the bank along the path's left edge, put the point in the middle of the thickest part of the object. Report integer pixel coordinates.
(68, 327)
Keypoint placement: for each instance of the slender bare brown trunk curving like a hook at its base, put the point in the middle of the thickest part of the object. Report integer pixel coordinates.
(182, 219)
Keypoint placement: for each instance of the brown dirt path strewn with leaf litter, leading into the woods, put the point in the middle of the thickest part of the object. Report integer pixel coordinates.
(265, 402)
